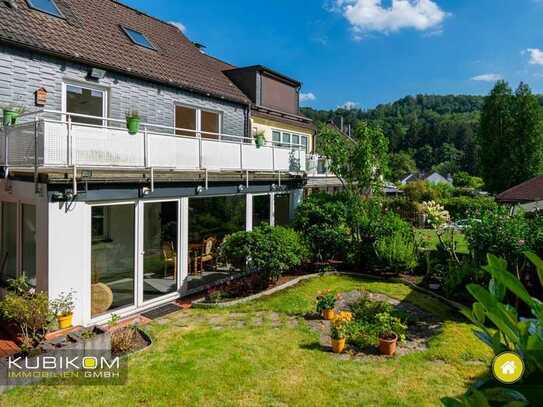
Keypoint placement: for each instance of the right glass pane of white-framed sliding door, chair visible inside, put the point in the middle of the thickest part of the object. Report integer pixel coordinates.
(160, 249)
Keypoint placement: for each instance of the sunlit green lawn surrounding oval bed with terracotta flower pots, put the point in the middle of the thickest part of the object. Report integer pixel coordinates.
(264, 353)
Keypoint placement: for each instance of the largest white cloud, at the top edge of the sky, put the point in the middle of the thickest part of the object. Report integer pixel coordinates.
(371, 15)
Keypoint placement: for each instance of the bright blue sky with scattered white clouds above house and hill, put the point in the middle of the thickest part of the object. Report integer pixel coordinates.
(366, 52)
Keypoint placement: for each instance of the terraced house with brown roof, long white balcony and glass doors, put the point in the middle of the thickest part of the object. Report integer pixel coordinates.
(131, 221)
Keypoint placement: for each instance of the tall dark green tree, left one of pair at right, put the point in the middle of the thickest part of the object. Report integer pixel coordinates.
(495, 135)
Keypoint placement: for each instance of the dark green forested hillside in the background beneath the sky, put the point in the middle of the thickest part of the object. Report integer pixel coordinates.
(425, 131)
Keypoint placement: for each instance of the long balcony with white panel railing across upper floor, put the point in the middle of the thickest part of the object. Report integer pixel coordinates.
(56, 140)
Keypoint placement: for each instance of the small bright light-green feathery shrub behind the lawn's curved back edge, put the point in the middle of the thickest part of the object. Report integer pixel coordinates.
(397, 251)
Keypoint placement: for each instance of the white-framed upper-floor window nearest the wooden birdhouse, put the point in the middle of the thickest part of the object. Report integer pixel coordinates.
(86, 101)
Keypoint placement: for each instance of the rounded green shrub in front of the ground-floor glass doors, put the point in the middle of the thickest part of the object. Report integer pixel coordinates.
(270, 251)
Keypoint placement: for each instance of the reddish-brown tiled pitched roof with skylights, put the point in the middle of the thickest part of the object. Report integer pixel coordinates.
(91, 33)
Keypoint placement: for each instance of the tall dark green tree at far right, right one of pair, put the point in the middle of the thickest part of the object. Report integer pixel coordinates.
(528, 145)
